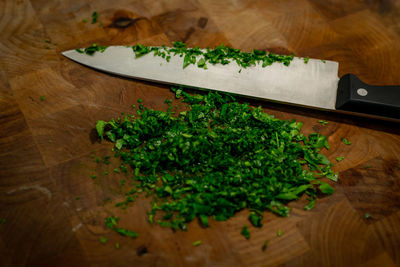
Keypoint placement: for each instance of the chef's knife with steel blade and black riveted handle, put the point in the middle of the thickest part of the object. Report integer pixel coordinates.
(314, 84)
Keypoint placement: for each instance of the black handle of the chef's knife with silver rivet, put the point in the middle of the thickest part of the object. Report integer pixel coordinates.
(355, 96)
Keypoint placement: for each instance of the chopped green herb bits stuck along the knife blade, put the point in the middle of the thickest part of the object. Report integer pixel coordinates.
(218, 55)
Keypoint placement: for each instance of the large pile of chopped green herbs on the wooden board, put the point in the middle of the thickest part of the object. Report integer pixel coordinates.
(217, 158)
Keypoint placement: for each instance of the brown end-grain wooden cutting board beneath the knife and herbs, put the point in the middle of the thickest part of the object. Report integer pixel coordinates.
(54, 212)
